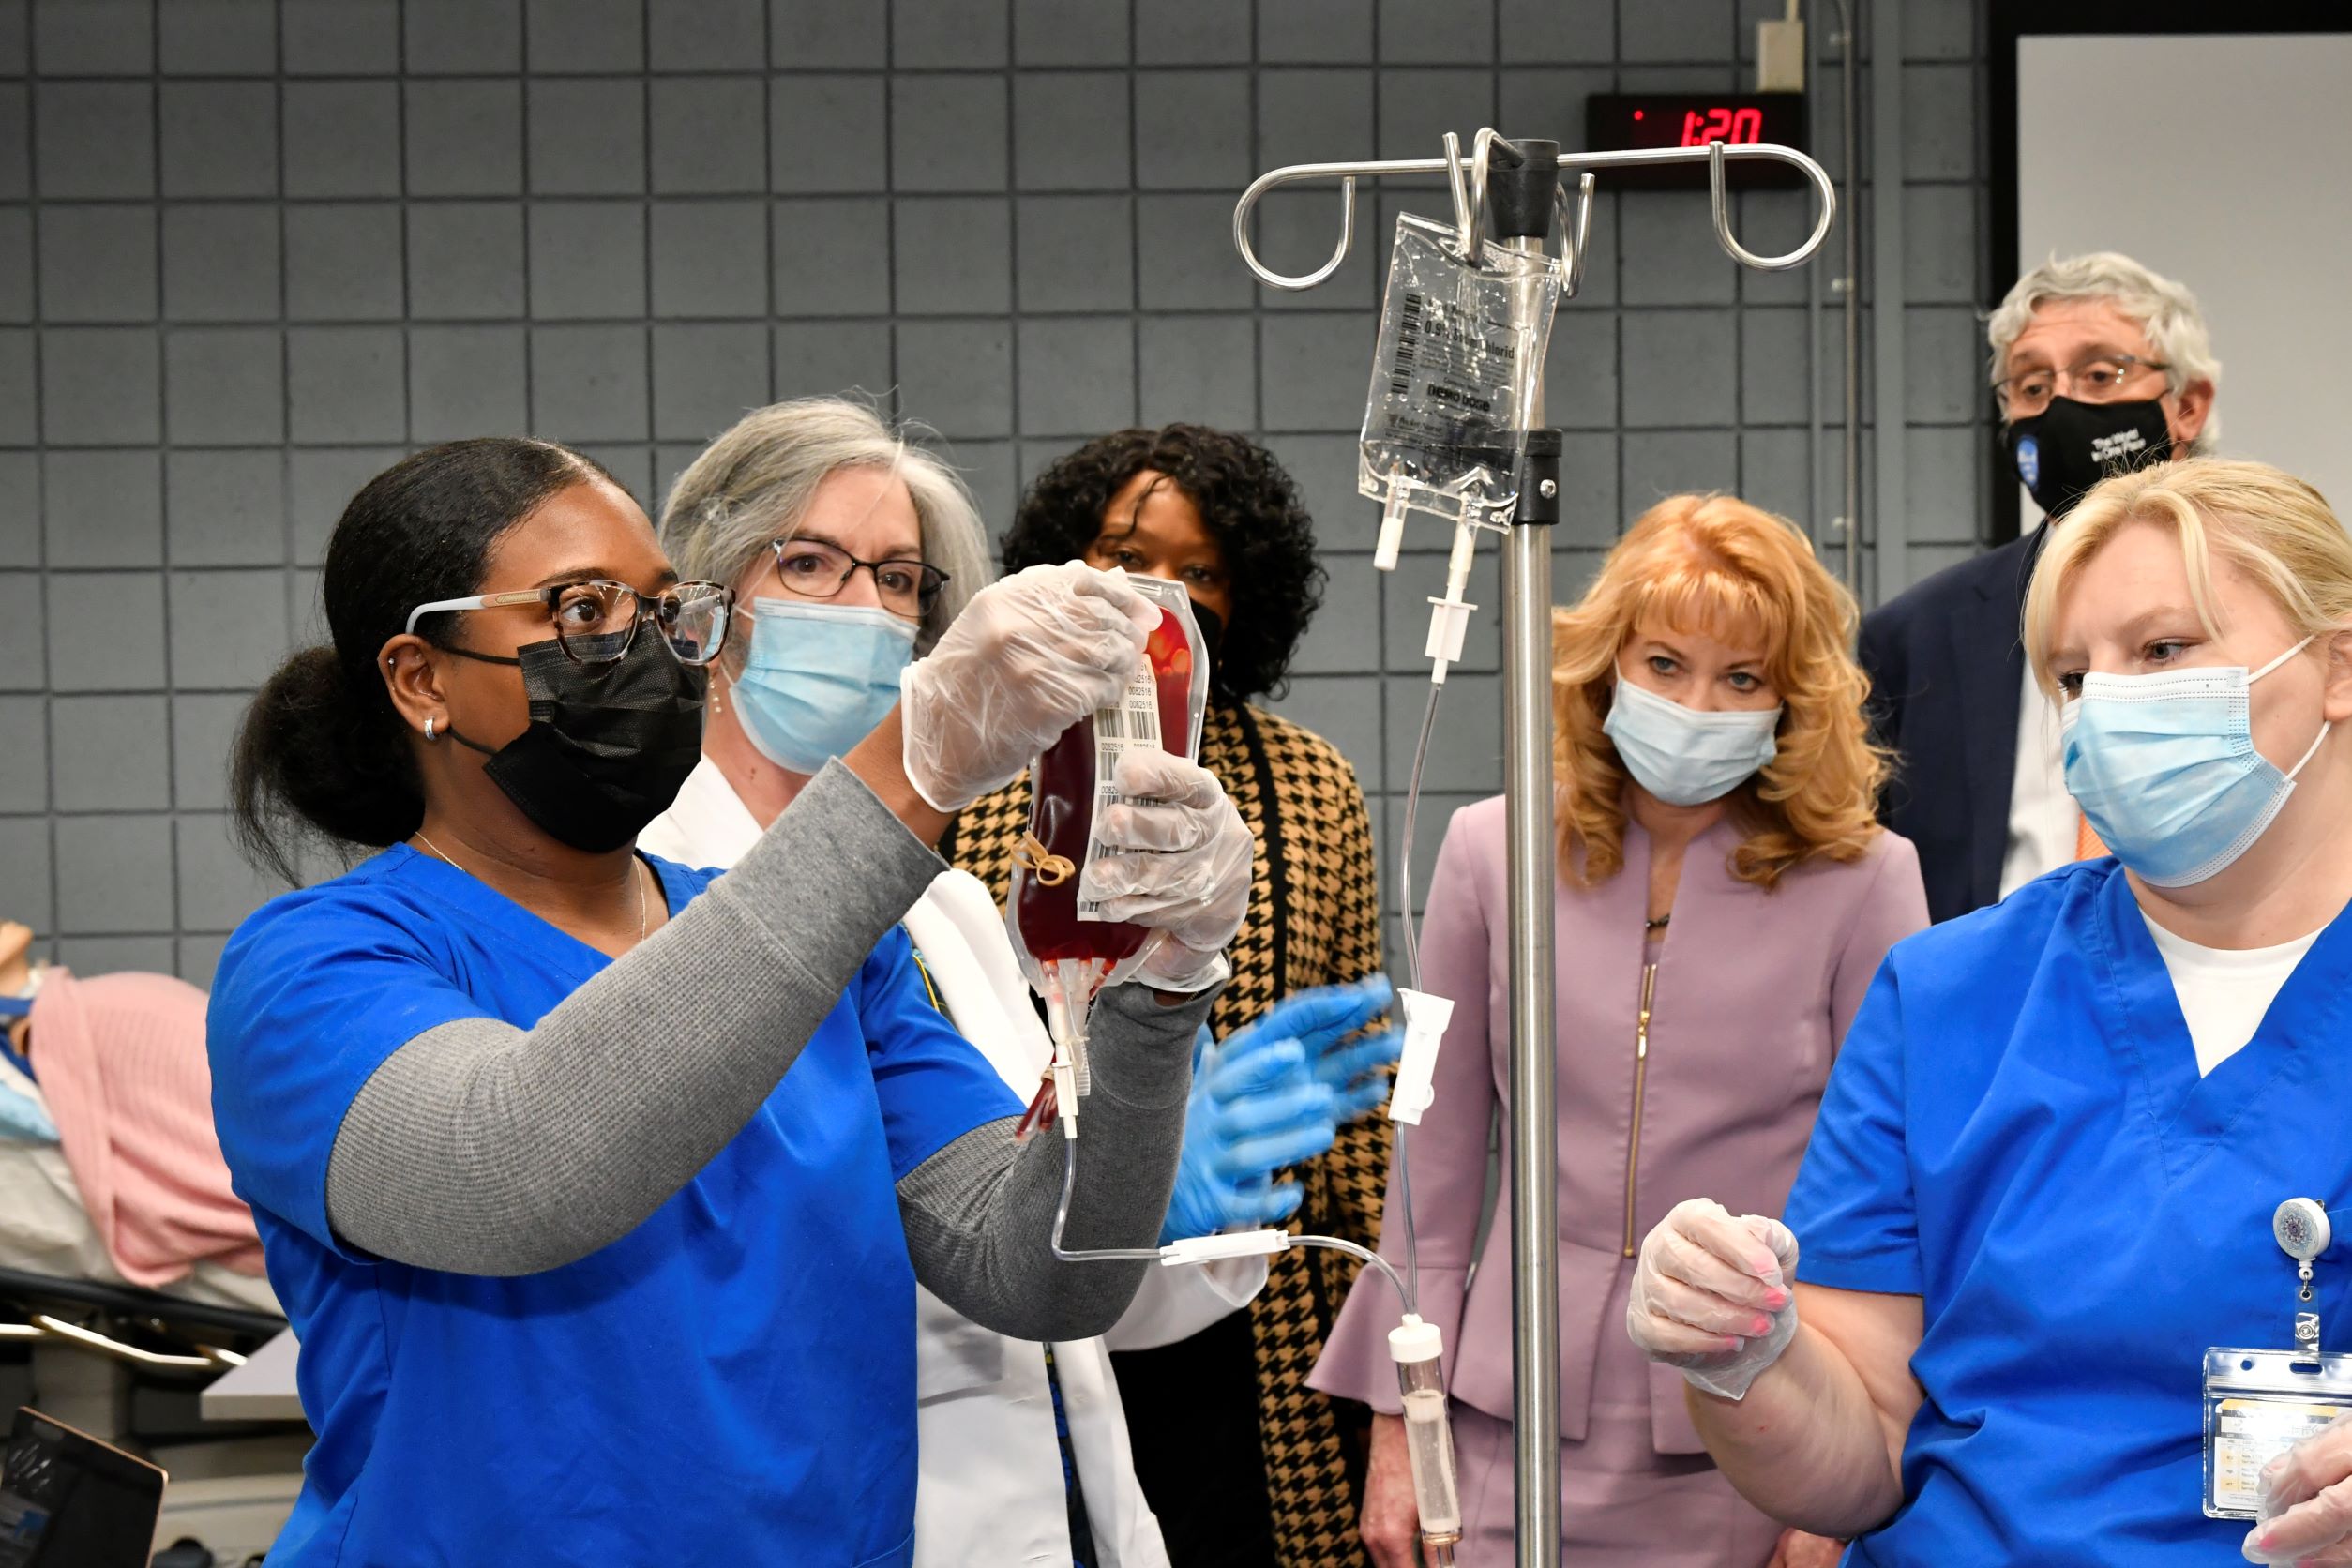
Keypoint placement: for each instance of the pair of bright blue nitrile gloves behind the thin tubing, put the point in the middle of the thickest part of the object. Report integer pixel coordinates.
(1271, 1097)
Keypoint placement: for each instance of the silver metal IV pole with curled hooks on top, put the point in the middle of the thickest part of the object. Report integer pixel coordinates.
(1523, 180)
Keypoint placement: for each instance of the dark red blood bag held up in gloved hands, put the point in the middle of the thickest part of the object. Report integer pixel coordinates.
(1069, 951)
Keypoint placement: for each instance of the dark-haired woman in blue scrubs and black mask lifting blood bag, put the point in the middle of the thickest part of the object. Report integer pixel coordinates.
(596, 1186)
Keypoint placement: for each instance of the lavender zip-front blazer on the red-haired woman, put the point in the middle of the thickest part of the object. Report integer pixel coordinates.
(1751, 1000)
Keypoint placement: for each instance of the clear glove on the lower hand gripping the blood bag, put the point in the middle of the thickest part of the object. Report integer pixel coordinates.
(1184, 864)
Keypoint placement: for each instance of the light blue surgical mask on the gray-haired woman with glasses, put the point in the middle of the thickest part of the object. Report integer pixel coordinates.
(820, 678)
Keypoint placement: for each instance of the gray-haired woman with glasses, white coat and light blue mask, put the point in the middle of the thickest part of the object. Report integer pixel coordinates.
(850, 551)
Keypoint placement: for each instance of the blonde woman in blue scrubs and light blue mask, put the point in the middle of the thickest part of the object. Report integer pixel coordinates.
(2045, 1172)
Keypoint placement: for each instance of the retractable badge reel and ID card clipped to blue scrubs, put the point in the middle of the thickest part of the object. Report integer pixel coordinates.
(2264, 1402)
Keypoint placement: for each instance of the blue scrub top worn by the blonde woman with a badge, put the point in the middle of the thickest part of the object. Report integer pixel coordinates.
(2017, 1134)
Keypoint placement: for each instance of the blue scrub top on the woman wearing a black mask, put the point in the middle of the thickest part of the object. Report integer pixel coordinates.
(730, 1383)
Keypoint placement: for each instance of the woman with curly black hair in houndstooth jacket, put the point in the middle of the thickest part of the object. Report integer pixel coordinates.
(1227, 1416)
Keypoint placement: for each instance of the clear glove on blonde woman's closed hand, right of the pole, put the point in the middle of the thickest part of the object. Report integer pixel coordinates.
(1713, 1299)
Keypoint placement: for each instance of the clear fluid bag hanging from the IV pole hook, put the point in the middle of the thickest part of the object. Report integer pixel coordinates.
(1455, 377)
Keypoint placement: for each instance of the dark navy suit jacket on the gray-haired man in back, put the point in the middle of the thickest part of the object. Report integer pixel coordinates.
(1946, 671)
